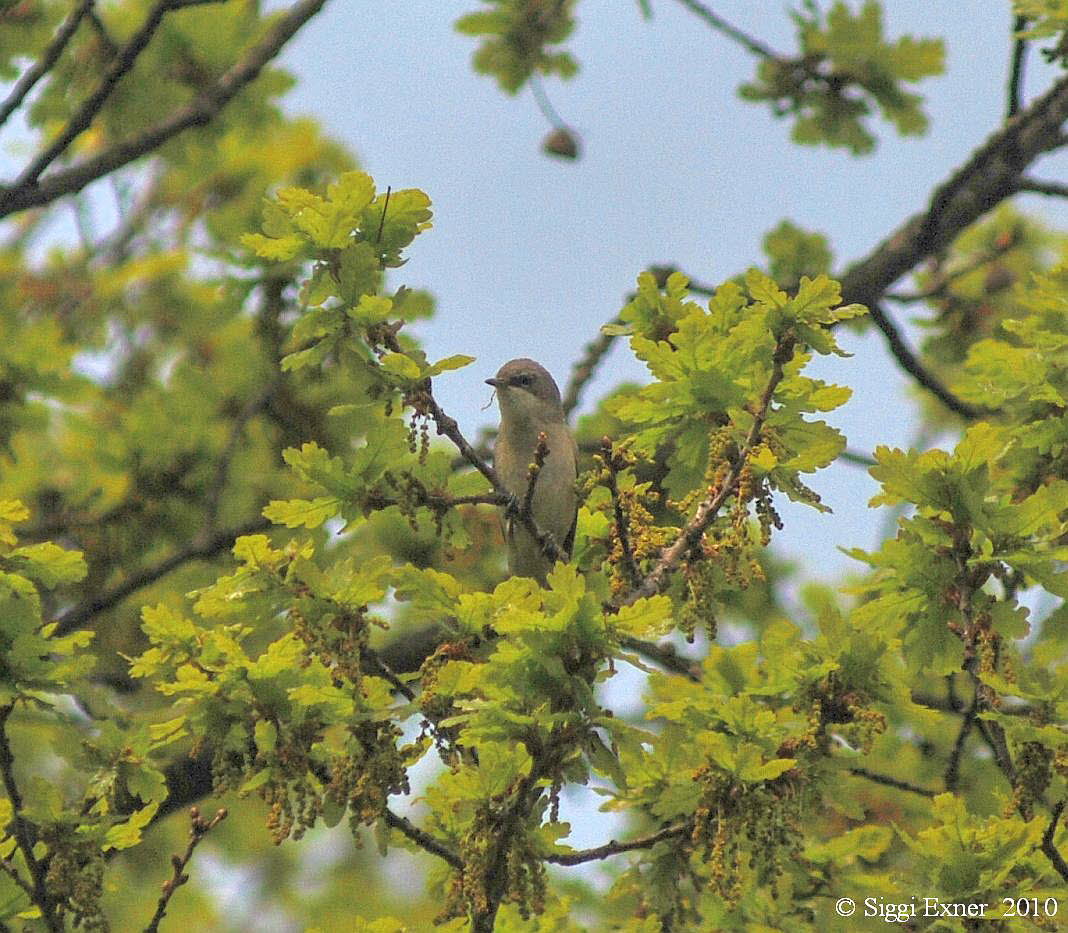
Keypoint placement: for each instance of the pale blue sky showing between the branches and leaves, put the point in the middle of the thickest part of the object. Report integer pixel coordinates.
(529, 256)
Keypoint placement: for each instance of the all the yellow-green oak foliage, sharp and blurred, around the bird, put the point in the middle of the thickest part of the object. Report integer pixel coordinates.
(252, 563)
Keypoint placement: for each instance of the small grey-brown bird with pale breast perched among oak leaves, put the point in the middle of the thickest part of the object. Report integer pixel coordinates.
(530, 406)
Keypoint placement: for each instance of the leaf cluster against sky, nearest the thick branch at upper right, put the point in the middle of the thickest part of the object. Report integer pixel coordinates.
(844, 71)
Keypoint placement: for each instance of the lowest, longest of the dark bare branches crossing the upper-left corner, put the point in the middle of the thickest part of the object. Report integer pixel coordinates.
(198, 114)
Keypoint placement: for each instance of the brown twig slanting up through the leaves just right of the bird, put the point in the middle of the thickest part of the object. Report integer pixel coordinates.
(706, 513)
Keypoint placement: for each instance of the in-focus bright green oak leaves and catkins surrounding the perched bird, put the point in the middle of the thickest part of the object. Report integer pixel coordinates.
(511, 699)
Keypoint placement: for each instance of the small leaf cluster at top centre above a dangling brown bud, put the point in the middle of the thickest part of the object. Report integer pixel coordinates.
(517, 40)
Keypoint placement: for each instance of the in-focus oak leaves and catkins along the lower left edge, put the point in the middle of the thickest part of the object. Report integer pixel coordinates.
(55, 842)
